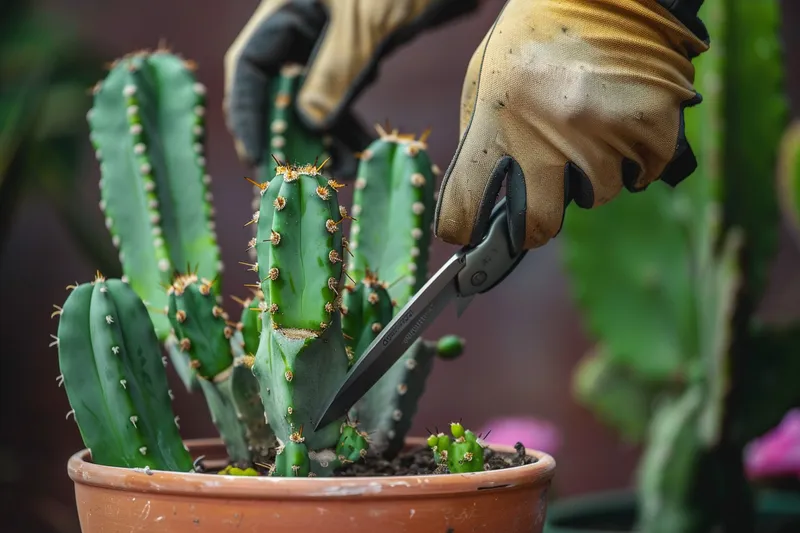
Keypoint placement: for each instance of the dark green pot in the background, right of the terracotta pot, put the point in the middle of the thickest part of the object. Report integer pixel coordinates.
(778, 511)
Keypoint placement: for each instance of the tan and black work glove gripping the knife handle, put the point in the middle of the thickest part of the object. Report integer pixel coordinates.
(573, 100)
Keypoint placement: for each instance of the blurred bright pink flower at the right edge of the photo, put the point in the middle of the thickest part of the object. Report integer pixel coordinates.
(776, 453)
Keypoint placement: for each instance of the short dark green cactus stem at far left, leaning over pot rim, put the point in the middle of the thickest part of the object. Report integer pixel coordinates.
(114, 376)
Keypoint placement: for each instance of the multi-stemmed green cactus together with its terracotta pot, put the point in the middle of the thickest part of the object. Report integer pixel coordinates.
(317, 300)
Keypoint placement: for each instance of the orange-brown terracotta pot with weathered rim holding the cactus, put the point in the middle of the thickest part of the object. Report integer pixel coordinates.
(120, 500)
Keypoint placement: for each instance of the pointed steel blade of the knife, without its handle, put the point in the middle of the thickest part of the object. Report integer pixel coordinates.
(405, 328)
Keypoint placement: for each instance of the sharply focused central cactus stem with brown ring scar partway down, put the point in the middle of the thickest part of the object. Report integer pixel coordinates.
(301, 357)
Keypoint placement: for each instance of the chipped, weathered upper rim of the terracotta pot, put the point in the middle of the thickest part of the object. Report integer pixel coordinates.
(84, 472)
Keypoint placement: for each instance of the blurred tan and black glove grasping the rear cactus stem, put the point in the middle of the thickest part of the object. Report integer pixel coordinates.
(341, 42)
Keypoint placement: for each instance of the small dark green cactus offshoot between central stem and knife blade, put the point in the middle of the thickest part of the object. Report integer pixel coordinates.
(366, 309)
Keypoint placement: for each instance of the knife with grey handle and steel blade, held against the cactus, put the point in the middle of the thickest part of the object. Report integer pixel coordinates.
(469, 272)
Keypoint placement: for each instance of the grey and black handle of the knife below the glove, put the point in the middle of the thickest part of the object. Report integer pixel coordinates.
(488, 263)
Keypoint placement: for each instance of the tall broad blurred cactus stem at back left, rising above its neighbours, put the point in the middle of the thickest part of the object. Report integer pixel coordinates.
(147, 127)
